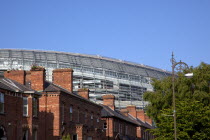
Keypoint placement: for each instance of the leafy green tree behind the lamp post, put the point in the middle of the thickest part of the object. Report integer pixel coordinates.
(192, 105)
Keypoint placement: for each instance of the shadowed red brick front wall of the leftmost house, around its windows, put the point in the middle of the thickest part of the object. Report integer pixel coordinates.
(13, 119)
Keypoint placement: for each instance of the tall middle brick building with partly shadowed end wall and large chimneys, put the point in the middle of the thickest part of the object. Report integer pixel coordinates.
(61, 112)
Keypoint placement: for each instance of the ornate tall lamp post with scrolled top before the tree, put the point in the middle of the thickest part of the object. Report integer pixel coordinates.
(181, 66)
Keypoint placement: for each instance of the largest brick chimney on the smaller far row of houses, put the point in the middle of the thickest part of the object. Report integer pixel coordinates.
(108, 100)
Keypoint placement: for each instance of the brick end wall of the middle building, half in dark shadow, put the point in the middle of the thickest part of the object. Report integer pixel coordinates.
(49, 116)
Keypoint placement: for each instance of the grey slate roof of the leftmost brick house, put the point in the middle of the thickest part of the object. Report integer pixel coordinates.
(14, 86)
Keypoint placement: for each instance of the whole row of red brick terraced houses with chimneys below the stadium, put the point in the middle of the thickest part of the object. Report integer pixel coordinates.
(50, 110)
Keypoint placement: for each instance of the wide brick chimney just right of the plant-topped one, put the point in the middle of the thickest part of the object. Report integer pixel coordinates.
(63, 78)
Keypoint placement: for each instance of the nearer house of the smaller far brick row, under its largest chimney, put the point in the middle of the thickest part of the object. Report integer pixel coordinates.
(118, 125)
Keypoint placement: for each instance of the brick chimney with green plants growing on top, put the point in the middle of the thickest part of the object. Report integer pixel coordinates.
(37, 77)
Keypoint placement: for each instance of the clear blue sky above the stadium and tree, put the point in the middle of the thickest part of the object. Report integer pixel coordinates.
(142, 31)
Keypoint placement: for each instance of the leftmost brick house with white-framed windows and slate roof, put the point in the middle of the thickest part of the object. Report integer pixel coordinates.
(18, 111)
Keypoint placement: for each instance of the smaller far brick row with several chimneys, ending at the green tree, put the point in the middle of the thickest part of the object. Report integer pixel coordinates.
(126, 124)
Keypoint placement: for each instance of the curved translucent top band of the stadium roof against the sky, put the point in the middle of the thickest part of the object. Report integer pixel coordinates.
(93, 61)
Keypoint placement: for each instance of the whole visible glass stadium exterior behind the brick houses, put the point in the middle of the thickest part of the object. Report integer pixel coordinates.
(126, 80)
